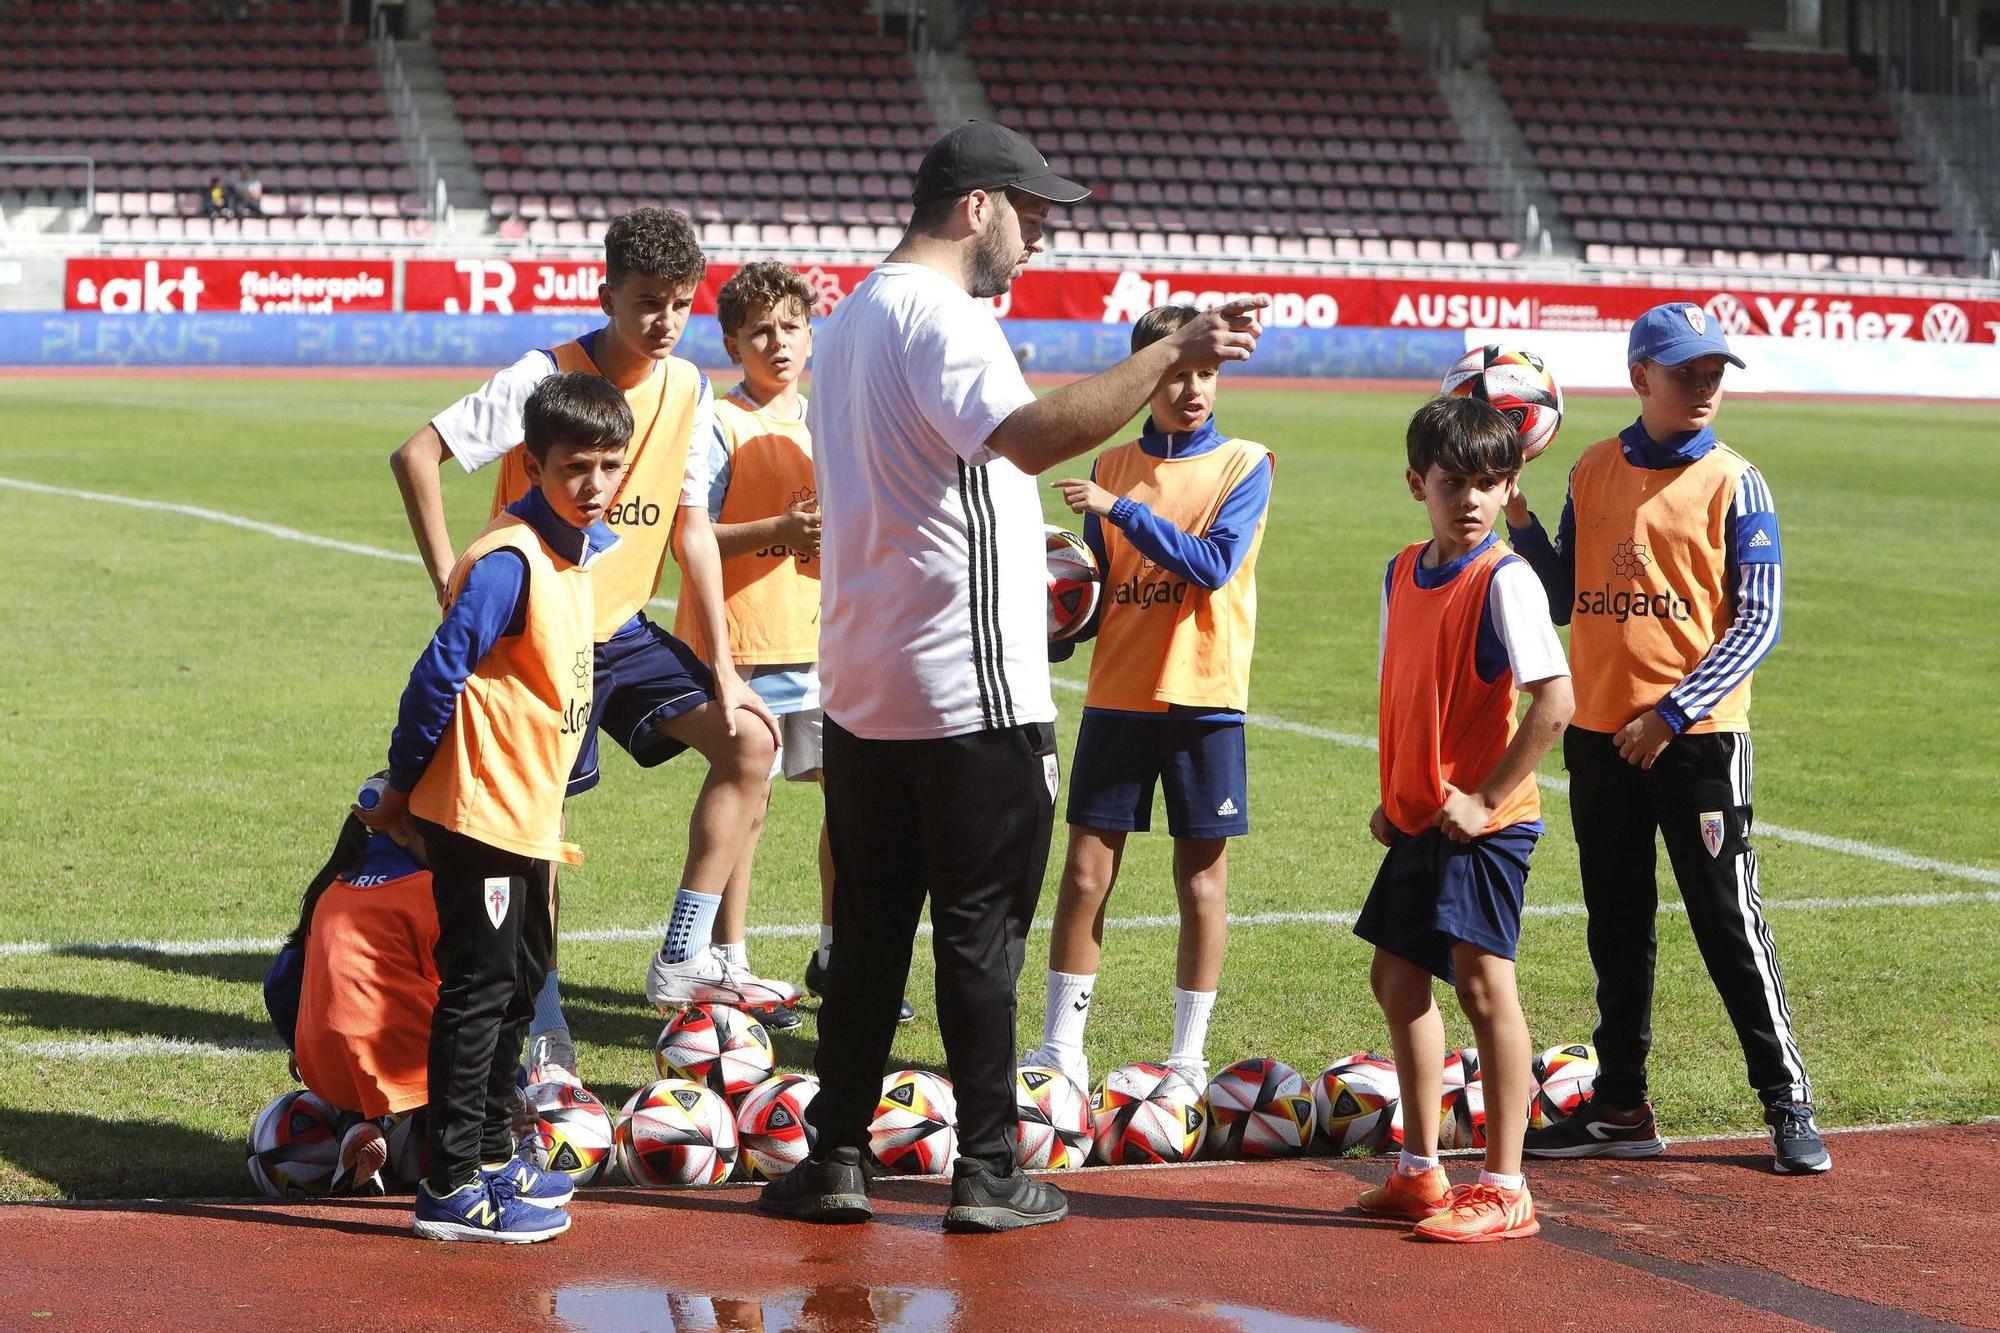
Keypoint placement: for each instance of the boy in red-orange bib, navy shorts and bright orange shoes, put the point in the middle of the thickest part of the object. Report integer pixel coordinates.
(1463, 629)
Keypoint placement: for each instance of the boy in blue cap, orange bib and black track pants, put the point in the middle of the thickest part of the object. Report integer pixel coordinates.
(1669, 571)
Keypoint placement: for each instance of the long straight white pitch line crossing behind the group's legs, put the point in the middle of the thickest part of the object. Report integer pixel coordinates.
(205, 948)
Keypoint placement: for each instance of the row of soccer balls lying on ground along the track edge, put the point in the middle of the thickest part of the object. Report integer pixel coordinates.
(721, 1114)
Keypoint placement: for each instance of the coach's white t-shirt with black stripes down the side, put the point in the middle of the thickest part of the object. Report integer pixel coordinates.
(933, 579)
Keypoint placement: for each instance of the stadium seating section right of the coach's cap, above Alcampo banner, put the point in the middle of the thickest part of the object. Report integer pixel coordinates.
(1325, 139)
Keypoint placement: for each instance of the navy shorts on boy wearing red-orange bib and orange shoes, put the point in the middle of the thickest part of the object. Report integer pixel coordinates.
(1433, 894)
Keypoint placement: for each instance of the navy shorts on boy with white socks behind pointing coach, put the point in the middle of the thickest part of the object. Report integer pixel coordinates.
(1119, 758)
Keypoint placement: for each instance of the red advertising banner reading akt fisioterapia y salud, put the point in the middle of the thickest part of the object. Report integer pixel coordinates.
(227, 285)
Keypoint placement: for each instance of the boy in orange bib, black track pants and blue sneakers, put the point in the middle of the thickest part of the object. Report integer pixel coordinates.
(485, 744)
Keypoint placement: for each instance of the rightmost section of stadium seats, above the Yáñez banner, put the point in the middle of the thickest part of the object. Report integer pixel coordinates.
(1703, 149)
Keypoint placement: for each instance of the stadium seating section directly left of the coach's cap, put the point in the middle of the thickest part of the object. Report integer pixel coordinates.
(769, 123)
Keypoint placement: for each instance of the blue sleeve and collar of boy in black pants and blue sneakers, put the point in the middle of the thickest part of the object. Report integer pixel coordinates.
(489, 607)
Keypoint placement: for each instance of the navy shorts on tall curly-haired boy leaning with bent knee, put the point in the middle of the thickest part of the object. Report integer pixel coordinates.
(643, 678)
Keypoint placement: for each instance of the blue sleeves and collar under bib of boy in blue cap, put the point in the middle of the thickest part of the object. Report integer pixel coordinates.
(1753, 565)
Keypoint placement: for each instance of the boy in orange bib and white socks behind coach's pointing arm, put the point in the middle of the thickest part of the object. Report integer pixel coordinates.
(1177, 519)
